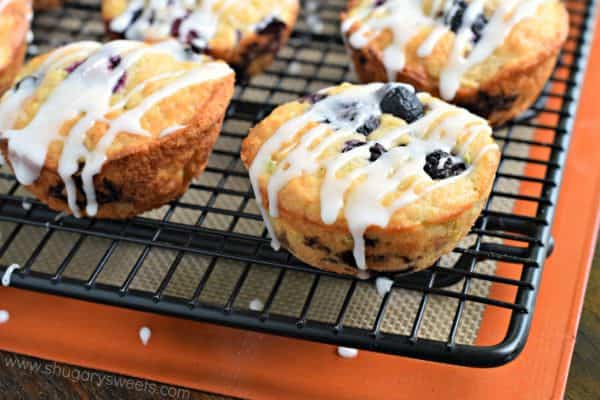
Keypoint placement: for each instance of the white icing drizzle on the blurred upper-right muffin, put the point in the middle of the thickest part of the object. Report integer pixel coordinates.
(406, 19)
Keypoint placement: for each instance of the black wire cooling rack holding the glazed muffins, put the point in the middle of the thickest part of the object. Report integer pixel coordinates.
(206, 255)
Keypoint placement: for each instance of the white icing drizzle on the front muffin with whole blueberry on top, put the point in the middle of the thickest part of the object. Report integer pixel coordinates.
(358, 195)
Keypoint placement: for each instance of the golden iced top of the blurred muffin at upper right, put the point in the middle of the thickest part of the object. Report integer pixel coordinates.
(458, 42)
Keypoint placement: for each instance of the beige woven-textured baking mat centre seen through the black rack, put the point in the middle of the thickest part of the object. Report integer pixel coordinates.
(302, 67)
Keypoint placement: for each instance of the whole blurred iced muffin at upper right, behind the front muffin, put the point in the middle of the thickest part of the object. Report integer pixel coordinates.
(490, 56)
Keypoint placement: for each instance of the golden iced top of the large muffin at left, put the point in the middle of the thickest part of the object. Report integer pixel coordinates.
(83, 104)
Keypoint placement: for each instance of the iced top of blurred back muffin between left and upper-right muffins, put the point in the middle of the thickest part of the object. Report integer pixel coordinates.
(201, 24)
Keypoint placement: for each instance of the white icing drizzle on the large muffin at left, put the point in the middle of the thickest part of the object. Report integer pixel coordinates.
(87, 93)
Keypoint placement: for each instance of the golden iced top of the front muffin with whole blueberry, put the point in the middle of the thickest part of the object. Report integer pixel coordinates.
(364, 156)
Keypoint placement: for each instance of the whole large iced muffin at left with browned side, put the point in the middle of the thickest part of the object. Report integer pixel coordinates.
(113, 130)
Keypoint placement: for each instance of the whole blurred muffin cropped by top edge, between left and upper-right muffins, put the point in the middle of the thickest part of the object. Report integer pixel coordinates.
(247, 37)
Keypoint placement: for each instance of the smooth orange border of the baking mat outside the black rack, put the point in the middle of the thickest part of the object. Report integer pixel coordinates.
(247, 364)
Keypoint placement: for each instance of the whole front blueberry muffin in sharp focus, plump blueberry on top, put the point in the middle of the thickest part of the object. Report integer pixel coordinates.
(370, 177)
